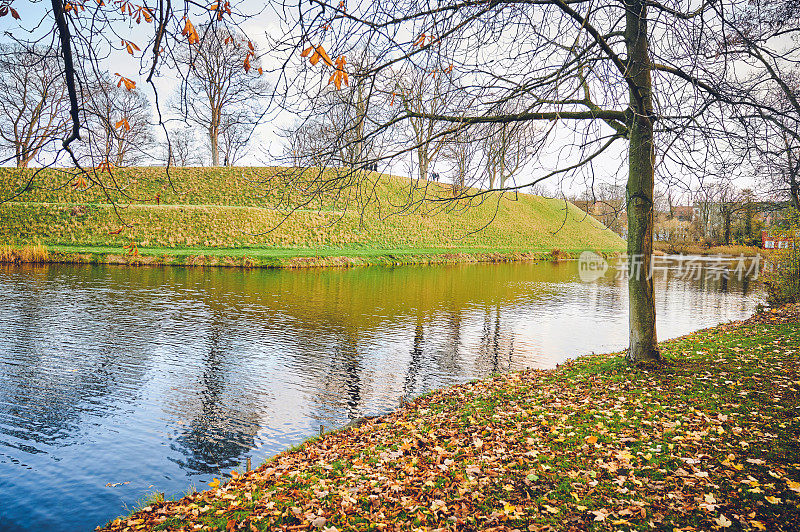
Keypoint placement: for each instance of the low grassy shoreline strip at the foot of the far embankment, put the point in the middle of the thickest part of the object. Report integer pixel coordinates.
(276, 258)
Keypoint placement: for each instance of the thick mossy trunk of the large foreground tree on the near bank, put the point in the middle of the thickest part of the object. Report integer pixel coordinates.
(641, 172)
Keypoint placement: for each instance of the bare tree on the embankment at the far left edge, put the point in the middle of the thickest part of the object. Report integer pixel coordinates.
(33, 105)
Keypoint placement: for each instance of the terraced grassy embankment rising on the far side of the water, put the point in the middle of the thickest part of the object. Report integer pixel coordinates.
(237, 217)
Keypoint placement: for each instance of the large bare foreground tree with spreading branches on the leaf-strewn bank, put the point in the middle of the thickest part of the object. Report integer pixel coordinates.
(633, 75)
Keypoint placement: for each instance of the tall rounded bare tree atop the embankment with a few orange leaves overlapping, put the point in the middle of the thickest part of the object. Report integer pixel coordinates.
(218, 93)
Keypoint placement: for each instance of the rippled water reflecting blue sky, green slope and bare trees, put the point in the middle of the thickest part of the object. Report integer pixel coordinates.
(155, 379)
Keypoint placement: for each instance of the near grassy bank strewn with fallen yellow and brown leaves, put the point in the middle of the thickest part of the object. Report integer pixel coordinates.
(706, 442)
